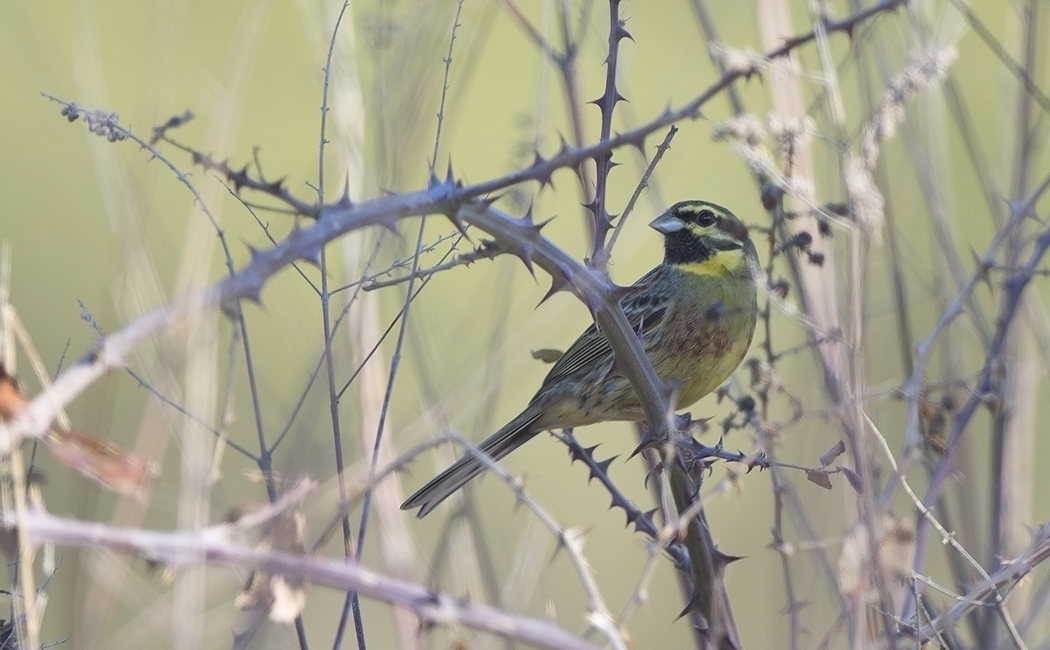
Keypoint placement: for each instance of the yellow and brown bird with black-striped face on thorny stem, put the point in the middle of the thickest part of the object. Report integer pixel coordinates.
(696, 313)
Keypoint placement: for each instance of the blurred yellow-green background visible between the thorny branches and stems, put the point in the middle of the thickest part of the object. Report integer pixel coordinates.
(100, 228)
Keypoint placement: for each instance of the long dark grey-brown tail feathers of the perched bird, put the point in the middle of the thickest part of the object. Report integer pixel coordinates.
(496, 447)
